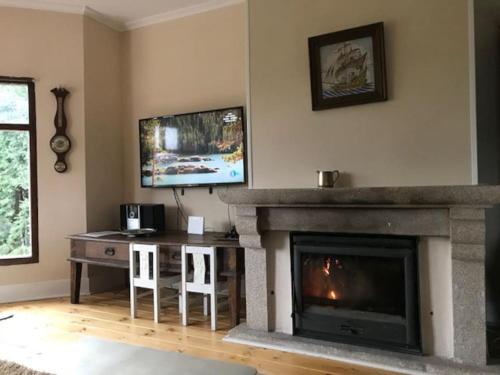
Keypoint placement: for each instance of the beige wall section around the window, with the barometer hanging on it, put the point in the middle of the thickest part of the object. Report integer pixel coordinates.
(48, 47)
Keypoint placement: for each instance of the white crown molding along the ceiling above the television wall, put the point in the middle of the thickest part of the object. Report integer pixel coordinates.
(180, 13)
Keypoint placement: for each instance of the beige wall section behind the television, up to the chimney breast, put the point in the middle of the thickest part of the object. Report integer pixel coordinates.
(185, 65)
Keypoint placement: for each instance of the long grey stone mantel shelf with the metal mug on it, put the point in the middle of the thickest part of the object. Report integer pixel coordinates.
(427, 196)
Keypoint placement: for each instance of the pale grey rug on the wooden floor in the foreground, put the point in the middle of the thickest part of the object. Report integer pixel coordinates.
(91, 356)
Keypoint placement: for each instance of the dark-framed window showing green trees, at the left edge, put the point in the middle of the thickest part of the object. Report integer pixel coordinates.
(18, 186)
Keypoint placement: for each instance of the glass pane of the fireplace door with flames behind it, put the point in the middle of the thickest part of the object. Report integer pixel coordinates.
(335, 283)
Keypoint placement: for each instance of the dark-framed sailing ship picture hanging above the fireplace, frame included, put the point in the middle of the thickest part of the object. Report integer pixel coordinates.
(348, 67)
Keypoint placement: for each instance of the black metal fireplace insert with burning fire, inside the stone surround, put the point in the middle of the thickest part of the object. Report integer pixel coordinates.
(356, 289)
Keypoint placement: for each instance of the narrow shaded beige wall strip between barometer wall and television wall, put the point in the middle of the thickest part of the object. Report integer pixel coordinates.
(103, 126)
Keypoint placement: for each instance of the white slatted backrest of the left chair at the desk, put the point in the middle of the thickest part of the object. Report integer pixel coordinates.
(144, 265)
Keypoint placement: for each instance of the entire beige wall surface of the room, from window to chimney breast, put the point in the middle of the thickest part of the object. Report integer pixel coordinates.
(197, 63)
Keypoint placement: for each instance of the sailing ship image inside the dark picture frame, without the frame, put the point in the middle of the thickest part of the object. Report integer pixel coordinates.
(347, 68)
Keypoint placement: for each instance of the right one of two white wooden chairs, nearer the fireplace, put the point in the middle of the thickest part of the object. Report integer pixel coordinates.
(198, 285)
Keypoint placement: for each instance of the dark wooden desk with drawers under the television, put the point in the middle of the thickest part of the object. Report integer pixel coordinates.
(113, 251)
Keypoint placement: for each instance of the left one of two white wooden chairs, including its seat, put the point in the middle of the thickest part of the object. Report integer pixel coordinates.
(145, 273)
